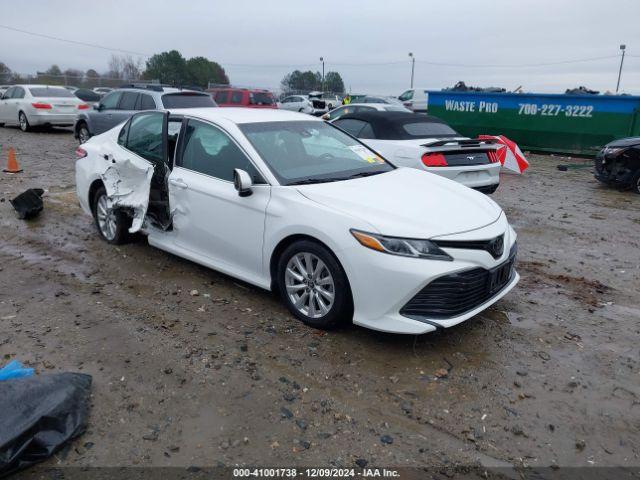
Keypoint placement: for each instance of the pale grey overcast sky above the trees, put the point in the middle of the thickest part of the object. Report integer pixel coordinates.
(258, 42)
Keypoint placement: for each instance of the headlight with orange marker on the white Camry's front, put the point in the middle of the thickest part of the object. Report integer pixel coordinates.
(405, 247)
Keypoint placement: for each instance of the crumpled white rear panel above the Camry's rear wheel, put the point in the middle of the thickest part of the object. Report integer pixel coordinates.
(128, 183)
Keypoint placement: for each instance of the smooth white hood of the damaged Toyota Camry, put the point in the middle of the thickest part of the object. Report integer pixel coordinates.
(407, 202)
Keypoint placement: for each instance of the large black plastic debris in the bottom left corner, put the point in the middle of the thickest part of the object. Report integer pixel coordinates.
(38, 415)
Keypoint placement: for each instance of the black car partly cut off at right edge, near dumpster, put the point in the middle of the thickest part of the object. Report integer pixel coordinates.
(618, 163)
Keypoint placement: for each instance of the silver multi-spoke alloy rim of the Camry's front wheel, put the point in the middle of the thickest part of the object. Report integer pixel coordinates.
(310, 285)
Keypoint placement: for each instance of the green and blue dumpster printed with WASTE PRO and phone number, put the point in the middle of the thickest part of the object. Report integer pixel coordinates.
(576, 124)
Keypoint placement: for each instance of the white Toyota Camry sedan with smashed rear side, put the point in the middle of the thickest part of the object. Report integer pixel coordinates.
(293, 204)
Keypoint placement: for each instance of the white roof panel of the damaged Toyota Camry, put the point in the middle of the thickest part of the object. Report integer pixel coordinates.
(245, 115)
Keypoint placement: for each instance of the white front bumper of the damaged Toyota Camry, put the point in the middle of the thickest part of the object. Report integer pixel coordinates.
(383, 284)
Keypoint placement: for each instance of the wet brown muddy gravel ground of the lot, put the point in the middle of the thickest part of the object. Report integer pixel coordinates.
(548, 376)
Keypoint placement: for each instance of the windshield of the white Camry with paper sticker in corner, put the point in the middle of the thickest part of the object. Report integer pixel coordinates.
(311, 152)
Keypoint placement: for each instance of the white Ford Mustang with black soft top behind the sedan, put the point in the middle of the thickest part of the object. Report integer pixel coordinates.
(426, 143)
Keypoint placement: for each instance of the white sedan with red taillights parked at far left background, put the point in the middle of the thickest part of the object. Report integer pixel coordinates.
(39, 105)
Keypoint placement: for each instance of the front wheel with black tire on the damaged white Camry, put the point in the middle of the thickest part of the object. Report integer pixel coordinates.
(326, 280)
